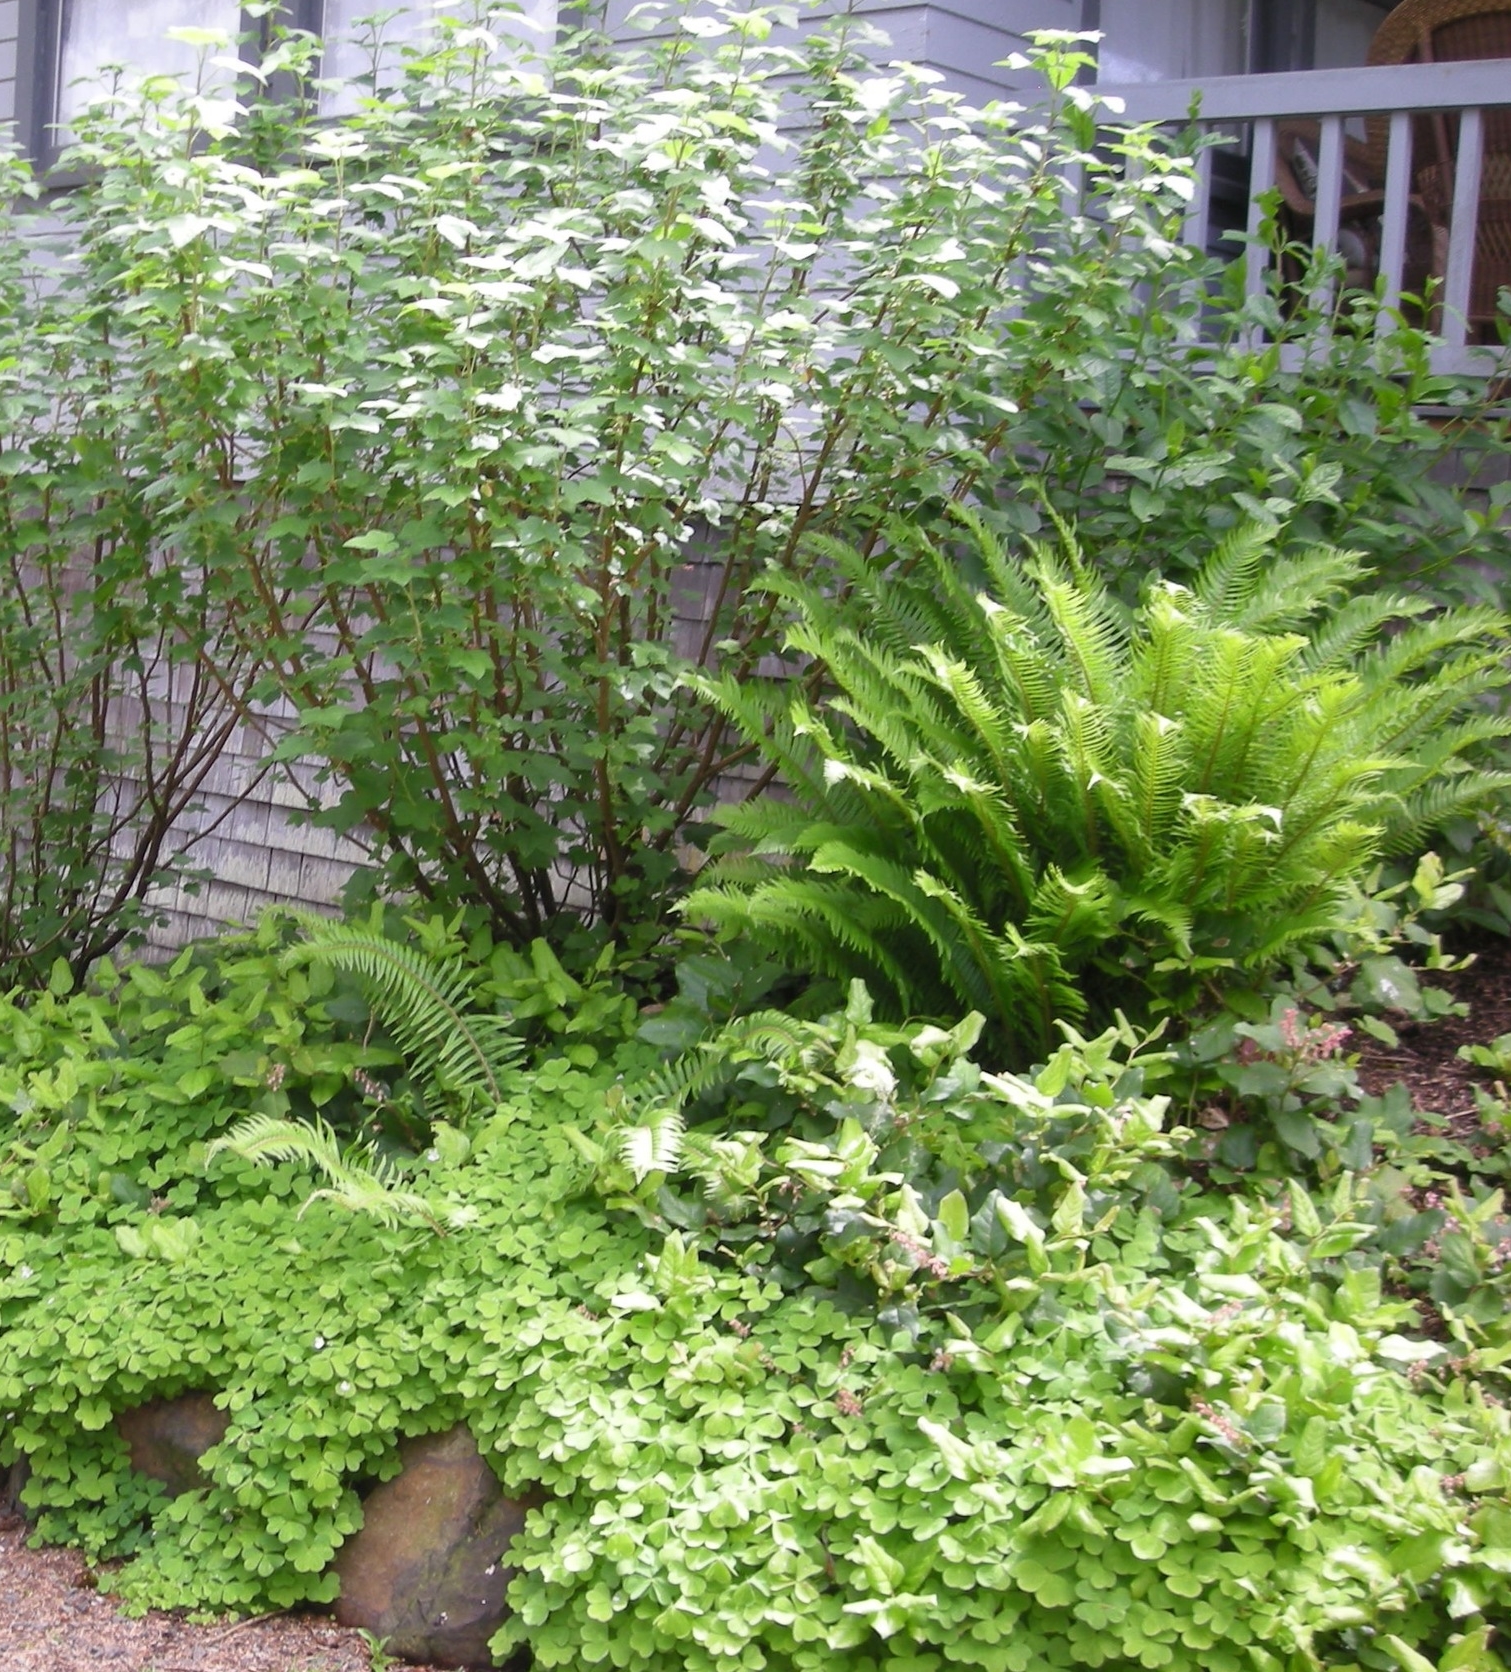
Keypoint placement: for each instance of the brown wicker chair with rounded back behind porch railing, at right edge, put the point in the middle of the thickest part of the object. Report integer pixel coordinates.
(1435, 33)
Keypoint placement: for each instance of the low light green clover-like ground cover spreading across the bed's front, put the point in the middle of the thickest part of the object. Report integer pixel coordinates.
(903, 1367)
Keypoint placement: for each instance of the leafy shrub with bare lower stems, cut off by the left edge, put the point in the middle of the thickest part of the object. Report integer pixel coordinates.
(120, 696)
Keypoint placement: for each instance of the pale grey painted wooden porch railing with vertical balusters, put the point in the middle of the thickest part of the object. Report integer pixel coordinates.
(1400, 94)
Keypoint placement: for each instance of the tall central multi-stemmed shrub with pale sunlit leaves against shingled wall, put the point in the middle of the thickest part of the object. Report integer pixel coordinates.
(466, 407)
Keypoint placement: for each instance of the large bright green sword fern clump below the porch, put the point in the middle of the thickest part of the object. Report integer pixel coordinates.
(1017, 795)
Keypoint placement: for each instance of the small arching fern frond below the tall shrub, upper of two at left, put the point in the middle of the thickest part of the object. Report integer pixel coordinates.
(449, 1049)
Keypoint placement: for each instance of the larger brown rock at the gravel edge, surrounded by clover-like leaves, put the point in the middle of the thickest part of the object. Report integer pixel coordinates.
(427, 1571)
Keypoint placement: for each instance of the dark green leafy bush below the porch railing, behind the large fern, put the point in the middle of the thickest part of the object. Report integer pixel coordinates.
(1157, 452)
